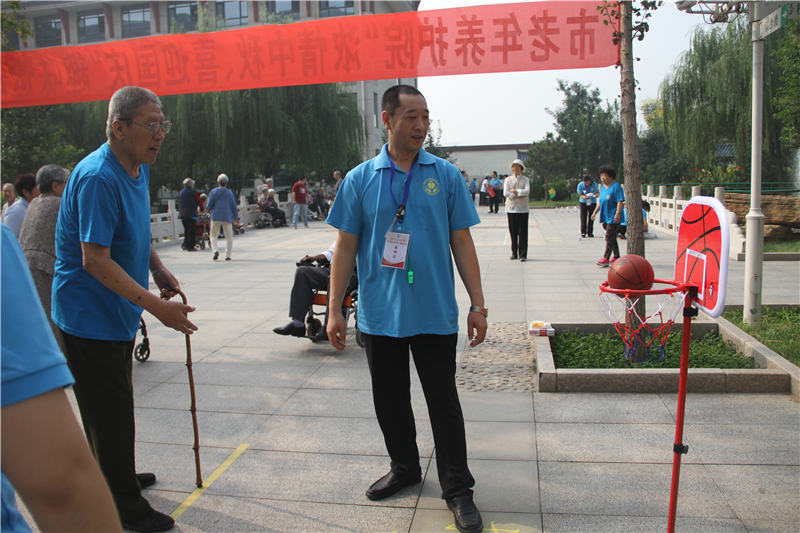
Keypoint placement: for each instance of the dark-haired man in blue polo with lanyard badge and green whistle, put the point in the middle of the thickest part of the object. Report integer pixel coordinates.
(400, 215)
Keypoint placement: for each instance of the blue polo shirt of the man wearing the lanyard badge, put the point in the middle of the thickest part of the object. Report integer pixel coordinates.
(438, 203)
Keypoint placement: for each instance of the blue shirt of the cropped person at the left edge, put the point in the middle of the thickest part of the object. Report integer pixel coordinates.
(30, 361)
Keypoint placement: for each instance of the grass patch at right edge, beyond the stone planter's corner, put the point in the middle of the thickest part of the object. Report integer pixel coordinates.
(778, 329)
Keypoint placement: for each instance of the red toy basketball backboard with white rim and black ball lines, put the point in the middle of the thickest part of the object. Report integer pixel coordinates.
(702, 255)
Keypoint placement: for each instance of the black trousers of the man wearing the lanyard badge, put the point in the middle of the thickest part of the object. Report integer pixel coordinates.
(435, 360)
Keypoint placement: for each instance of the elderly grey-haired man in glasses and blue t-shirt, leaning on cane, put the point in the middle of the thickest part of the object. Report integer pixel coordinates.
(103, 261)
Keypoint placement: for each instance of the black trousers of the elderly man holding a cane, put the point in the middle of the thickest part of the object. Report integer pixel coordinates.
(104, 390)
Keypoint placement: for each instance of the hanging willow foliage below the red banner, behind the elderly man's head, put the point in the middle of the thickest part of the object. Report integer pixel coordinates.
(283, 131)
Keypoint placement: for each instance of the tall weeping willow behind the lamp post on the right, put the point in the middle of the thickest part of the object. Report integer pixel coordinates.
(707, 98)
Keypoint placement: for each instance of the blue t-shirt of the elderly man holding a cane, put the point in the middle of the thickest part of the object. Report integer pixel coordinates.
(102, 204)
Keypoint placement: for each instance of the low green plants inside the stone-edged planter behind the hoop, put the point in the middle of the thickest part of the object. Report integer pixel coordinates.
(575, 350)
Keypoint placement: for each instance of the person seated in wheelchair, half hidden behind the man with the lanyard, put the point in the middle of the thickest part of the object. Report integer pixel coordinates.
(312, 274)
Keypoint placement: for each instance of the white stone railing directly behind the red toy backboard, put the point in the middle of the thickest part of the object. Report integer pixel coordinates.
(665, 213)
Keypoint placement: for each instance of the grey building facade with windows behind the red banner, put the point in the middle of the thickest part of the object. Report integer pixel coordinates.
(74, 23)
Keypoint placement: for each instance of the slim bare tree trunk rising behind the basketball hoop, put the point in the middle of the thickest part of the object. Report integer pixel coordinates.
(630, 151)
